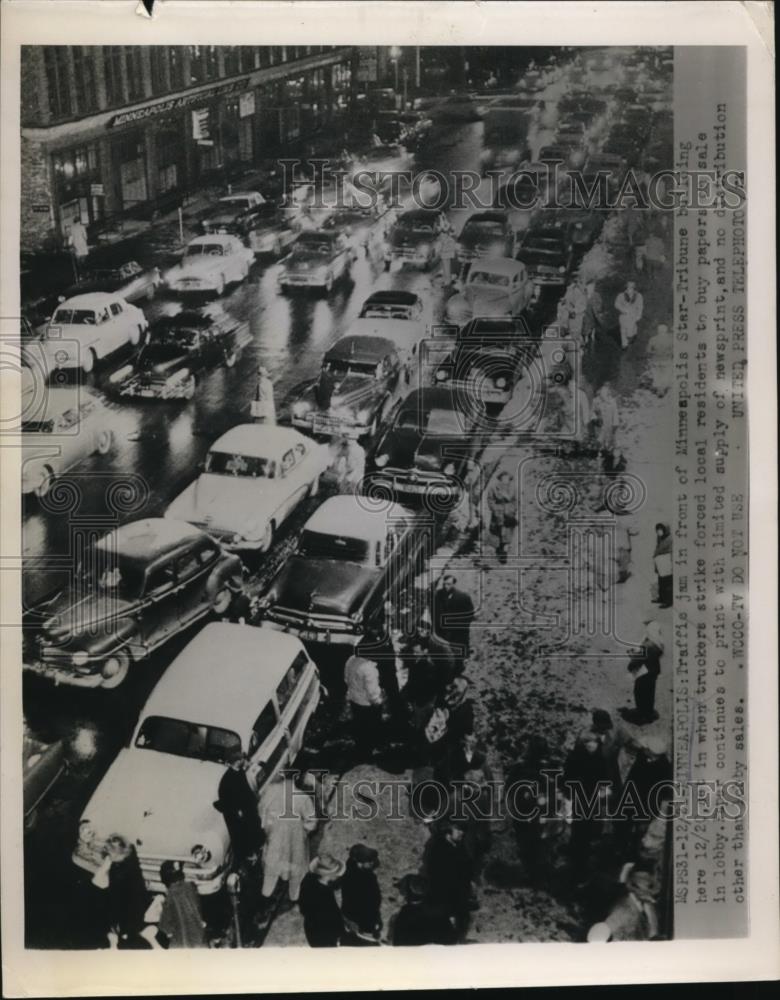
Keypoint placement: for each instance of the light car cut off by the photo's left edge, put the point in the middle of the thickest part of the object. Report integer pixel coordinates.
(67, 425)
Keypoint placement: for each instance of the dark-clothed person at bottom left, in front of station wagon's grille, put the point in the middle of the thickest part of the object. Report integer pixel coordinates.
(121, 878)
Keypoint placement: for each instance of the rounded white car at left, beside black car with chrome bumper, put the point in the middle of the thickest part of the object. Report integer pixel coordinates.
(87, 328)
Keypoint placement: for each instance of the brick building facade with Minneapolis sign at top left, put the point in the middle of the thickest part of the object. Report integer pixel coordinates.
(111, 131)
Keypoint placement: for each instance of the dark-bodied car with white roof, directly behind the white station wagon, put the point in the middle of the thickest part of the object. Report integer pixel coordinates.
(349, 559)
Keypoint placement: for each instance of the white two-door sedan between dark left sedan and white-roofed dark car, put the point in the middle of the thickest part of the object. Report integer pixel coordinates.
(254, 476)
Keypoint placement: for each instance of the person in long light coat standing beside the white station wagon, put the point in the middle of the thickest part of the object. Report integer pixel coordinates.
(288, 816)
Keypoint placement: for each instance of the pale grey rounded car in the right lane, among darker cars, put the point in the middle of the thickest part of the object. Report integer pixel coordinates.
(494, 287)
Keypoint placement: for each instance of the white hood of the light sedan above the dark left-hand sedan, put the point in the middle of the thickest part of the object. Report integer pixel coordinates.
(226, 503)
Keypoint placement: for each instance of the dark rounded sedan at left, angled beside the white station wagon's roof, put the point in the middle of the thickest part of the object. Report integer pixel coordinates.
(136, 588)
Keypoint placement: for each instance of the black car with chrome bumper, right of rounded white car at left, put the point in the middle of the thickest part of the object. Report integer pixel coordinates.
(178, 350)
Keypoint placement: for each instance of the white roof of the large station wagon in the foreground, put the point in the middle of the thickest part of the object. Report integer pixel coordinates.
(203, 685)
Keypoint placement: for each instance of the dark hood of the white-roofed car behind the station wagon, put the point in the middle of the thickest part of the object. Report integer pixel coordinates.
(324, 586)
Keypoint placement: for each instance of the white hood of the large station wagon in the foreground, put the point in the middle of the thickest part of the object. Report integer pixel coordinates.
(162, 803)
